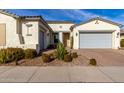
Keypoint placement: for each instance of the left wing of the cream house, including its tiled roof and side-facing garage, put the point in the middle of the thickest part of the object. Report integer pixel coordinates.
(24, 31)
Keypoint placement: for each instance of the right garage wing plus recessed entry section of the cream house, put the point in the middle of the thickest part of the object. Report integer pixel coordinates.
(94, 33)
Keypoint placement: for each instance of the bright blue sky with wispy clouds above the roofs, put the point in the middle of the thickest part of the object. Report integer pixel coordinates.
(74, 15)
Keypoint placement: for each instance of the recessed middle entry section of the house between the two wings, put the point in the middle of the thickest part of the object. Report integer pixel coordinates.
(61, 31)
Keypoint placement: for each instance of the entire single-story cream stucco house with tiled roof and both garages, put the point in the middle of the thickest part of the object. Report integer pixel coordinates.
(36, 33)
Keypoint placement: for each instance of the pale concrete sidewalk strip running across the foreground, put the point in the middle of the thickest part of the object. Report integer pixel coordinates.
(62, 74)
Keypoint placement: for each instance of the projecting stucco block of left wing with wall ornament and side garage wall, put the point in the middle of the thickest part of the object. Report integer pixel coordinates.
(35, 30)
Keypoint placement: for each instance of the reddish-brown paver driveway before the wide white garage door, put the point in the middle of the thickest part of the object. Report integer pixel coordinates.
(104, 57)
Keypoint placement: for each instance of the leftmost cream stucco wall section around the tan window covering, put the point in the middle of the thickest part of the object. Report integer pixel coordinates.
(11, 28)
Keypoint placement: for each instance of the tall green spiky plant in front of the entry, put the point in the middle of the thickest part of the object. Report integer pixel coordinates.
(60, 51)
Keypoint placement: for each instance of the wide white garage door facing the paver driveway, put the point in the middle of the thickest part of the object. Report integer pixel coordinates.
(95, 40)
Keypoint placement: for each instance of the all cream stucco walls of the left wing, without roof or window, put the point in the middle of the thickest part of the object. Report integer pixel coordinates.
(17, 26)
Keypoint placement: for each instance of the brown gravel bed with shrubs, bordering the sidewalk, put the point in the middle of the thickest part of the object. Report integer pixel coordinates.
(82, 61)
